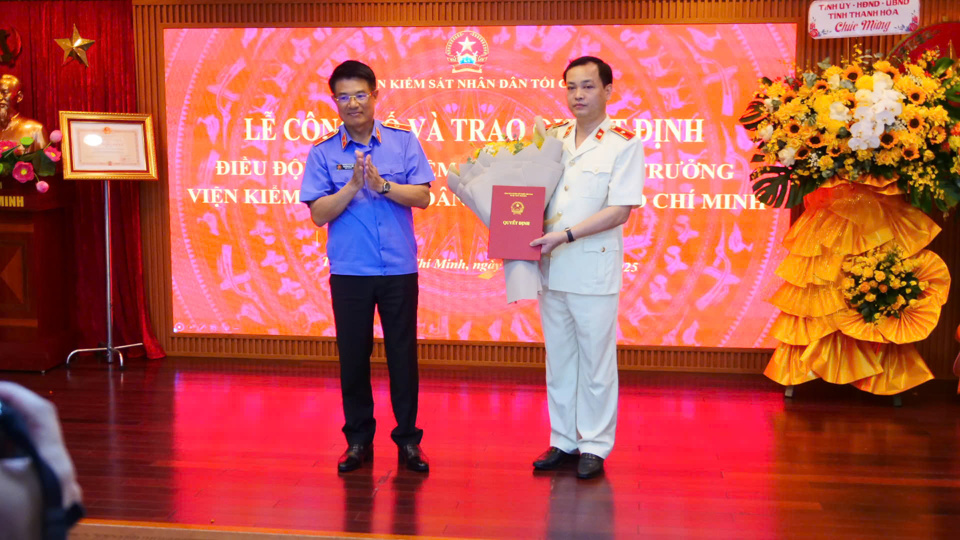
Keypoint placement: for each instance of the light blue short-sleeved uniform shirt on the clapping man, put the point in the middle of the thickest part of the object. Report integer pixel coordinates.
(374, 235)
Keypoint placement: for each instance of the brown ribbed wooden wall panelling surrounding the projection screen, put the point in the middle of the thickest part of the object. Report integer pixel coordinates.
(150, 16)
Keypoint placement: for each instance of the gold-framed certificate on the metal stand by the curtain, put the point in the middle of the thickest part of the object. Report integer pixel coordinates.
(108, 146)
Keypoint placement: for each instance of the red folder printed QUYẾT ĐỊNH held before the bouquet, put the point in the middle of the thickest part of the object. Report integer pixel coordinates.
(516, 219)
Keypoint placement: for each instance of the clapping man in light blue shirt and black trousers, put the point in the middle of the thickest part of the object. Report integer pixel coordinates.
(362, 181)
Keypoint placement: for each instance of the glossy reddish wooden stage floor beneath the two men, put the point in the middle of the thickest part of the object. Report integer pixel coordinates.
(240, 444)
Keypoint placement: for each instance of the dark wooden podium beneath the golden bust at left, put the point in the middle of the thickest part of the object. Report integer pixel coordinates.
(36, 280)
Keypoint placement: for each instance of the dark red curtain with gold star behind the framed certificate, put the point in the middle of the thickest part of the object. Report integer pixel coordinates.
(107, 85)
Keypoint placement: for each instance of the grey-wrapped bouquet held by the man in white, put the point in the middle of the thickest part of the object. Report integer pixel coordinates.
(510, 163)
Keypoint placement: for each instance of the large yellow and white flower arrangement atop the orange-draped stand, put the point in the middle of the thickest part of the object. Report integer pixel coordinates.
(868, 118)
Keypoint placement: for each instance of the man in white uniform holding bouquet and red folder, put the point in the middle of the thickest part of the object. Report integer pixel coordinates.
(582, 261)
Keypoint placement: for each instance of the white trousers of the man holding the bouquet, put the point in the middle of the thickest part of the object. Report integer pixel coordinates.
(580, 331)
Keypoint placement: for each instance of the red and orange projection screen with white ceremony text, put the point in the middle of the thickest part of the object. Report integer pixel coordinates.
(244, 104)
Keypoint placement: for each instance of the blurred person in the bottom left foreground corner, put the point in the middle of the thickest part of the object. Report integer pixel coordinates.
(39, 494)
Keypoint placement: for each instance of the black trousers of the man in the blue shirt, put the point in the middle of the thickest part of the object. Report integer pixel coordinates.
(395, 299)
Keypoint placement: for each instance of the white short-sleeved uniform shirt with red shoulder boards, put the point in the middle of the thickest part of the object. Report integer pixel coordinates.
(607, 170)
